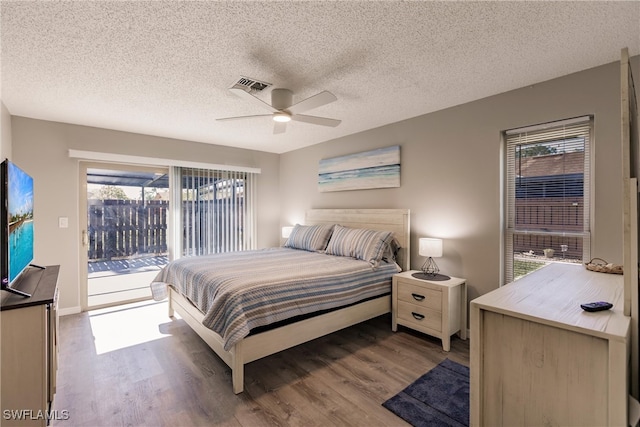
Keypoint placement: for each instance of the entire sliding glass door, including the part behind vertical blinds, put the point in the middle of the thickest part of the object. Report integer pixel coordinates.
(135, 219)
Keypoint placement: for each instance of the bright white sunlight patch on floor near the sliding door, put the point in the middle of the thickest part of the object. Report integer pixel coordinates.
(127, 325)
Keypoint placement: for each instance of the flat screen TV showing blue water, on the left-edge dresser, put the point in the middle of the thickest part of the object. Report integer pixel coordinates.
(16, 223)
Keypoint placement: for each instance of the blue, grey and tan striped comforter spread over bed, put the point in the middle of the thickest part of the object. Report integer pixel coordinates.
(239, 291)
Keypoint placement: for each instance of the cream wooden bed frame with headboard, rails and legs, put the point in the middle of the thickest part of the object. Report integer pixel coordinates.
(269, 342)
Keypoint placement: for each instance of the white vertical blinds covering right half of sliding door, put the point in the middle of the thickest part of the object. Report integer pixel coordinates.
(217, 210)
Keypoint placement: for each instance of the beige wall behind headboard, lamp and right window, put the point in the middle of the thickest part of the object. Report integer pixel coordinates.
(451, 171)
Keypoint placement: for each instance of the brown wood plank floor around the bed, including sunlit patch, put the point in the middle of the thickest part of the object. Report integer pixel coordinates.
(134, 366)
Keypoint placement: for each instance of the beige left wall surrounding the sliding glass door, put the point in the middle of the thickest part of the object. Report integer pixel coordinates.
(41, 149)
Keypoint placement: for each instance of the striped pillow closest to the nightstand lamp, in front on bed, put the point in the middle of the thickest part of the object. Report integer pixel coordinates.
(359, 243)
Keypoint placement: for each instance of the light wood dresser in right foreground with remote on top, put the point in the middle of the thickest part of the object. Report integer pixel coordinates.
(537, 358)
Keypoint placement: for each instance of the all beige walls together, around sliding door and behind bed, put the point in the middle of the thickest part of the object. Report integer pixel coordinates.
(451, 174)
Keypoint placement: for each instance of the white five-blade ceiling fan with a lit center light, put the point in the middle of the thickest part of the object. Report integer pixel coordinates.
(282, 110)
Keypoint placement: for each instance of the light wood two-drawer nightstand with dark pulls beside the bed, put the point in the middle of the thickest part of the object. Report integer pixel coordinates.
(436, 308)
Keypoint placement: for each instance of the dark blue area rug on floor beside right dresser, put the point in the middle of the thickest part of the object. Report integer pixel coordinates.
(438, 398)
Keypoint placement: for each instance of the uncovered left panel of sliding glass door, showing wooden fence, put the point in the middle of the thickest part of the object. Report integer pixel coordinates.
(124, 234)
